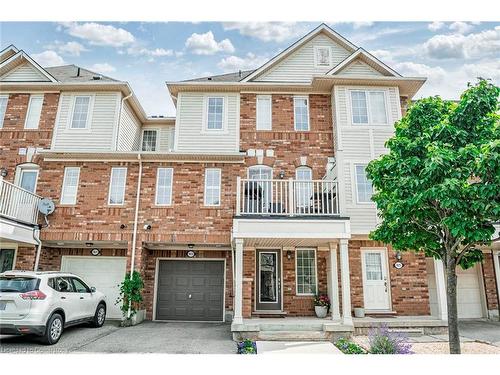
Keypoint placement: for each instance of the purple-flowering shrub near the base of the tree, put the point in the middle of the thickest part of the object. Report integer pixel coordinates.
(383, 341)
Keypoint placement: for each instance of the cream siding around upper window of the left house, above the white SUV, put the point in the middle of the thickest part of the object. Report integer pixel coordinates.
(102, 119)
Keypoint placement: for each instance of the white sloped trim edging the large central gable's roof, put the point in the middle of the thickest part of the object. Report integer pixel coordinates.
(323, 28)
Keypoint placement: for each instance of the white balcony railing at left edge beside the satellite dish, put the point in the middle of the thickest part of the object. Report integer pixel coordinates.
(18, 203)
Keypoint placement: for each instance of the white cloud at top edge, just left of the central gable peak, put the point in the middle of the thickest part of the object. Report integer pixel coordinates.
(268, 31)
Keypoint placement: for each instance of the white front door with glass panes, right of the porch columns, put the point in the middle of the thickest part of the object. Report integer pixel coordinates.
(375, 279)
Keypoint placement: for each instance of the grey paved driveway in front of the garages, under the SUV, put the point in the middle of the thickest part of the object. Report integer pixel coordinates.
(148, 337)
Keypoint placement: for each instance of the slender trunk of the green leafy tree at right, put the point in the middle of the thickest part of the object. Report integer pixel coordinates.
(451, 289)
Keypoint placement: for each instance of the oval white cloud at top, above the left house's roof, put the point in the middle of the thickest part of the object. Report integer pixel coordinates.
(99, 34)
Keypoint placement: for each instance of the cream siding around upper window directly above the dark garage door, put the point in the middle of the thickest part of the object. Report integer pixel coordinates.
(191, 135)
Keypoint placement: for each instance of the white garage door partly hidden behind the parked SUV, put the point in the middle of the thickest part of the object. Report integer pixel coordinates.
(104, 273)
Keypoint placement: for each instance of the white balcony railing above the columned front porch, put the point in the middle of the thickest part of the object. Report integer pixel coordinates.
(286, 197)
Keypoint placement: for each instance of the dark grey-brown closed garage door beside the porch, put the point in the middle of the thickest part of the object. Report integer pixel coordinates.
(190, 290)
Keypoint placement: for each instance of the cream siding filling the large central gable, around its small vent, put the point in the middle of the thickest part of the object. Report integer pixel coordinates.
(299, 66)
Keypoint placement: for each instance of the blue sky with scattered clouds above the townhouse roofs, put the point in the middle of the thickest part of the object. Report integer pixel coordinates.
(147, 54)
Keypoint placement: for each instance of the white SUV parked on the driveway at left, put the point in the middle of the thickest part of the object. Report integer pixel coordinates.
(44, 303)
